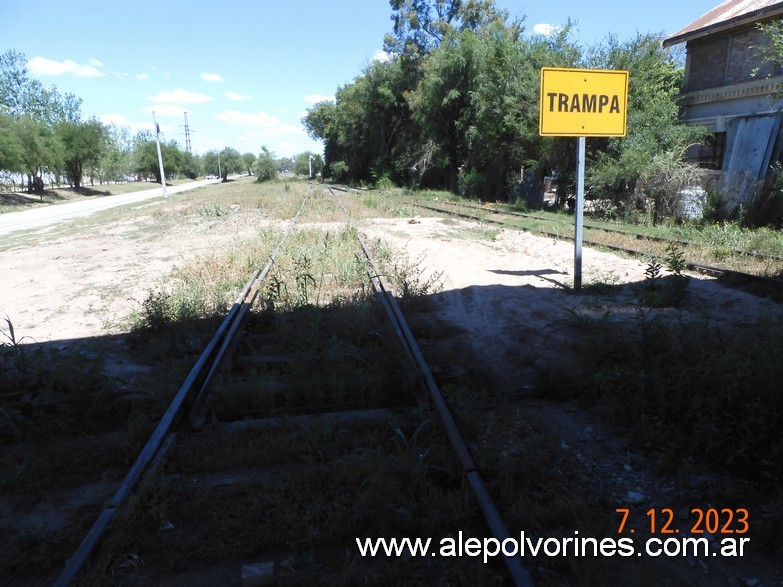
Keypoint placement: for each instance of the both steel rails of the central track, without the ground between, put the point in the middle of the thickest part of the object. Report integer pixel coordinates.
(189, 410)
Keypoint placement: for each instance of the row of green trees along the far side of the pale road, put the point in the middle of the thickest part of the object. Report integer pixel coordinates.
(44, 135)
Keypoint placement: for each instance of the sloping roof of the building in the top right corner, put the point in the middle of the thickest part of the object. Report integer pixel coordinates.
(727, 15)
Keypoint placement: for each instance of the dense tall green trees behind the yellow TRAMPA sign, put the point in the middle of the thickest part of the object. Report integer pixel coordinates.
(456, 106)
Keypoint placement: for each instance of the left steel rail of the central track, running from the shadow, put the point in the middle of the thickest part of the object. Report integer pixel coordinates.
(201, 373)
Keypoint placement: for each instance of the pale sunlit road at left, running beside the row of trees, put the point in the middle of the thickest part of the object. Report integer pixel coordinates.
(47, 215)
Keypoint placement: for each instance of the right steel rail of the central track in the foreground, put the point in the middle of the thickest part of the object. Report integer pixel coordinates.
(492, 517)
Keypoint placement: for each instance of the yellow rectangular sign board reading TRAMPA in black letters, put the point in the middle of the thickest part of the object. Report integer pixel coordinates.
(583, 102)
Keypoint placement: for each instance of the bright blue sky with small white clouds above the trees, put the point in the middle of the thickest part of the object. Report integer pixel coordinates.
(247, 70)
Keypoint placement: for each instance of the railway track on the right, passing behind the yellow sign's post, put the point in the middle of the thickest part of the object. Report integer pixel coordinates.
(649, 246)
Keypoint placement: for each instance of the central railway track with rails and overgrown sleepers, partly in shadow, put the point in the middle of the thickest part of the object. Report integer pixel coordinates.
(268, 414)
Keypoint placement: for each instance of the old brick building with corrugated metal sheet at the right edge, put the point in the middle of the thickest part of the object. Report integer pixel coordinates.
(730, 90)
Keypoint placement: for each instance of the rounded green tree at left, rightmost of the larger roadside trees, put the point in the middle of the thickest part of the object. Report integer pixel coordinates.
(83, 143)
